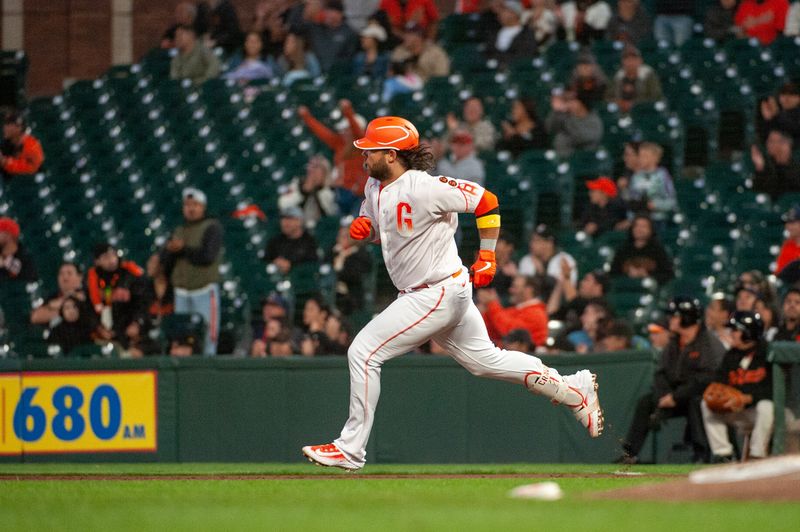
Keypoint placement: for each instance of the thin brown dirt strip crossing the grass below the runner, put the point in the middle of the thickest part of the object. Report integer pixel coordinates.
(5, 477)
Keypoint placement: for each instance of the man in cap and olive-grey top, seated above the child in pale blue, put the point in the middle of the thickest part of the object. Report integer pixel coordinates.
(634, 83)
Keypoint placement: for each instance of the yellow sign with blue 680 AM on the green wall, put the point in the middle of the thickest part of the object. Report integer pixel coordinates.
(78, 412)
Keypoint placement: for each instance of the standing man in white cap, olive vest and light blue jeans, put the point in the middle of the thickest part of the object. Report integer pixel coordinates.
(193, 255)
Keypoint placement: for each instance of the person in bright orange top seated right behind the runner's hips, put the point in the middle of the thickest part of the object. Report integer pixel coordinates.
(529, 311)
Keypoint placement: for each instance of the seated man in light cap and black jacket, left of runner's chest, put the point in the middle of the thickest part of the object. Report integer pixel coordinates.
(294, 245)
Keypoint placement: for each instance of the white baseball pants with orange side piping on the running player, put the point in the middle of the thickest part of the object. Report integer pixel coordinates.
(443, 312)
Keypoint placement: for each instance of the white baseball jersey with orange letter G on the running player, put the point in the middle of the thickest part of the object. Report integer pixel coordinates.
(415, 218)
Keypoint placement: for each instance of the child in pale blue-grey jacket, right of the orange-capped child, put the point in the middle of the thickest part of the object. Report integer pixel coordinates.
(652, 187)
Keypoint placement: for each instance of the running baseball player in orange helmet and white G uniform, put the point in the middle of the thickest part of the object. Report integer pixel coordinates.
(413, 216)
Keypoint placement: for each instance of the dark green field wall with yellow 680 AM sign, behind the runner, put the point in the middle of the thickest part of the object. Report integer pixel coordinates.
(229, 409)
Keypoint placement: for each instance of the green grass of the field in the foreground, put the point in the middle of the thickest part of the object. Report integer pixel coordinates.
(354, 501)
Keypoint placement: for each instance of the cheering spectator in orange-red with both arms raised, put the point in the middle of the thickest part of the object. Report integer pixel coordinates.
(350, 174)
